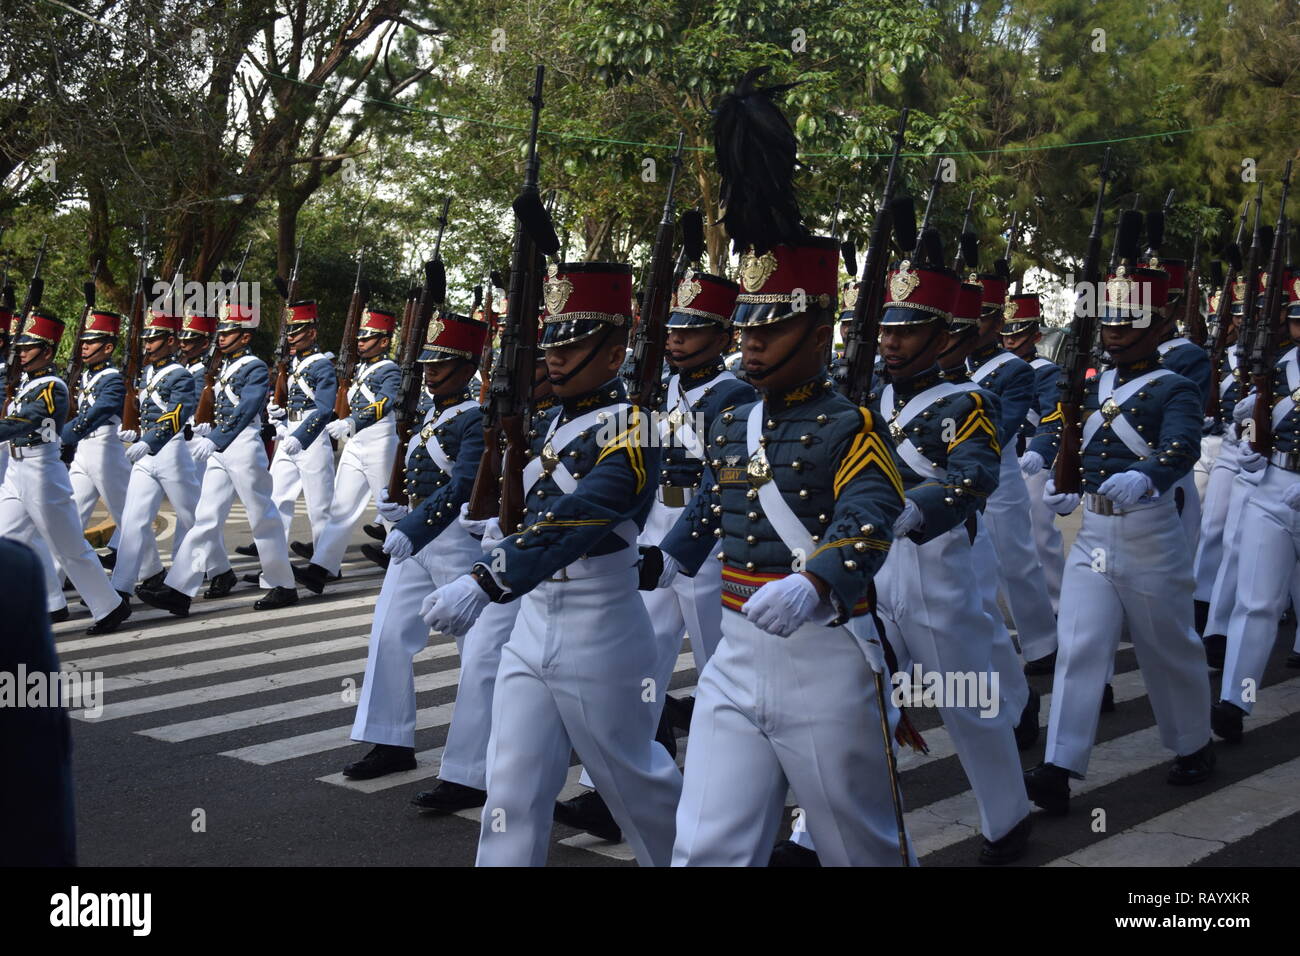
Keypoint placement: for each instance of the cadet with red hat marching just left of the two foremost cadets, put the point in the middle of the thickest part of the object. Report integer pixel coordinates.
(428, 547)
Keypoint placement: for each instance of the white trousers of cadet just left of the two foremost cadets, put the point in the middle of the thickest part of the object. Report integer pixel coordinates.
(387, 713)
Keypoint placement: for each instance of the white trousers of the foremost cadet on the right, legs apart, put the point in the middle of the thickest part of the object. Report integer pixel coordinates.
(1136, 570)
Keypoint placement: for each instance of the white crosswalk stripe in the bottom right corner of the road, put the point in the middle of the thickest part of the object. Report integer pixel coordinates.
(1201, 828)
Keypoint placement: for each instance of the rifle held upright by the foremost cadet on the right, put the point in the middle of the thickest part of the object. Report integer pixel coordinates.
(1078, 353)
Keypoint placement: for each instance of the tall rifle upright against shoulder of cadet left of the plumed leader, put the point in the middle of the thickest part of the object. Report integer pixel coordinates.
(500, 483)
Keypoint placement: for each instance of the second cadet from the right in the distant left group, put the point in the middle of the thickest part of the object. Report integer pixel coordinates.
(305, 461)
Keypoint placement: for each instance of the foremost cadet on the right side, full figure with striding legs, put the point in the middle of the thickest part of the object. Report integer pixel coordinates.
(1142, 434)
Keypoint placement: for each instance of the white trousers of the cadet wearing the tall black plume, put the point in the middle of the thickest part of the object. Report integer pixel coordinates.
(786, 713)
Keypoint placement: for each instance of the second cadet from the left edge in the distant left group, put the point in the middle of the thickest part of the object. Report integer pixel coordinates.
(99, 468)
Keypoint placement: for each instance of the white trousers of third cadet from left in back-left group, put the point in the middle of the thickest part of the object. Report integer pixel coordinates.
(170, 473)
